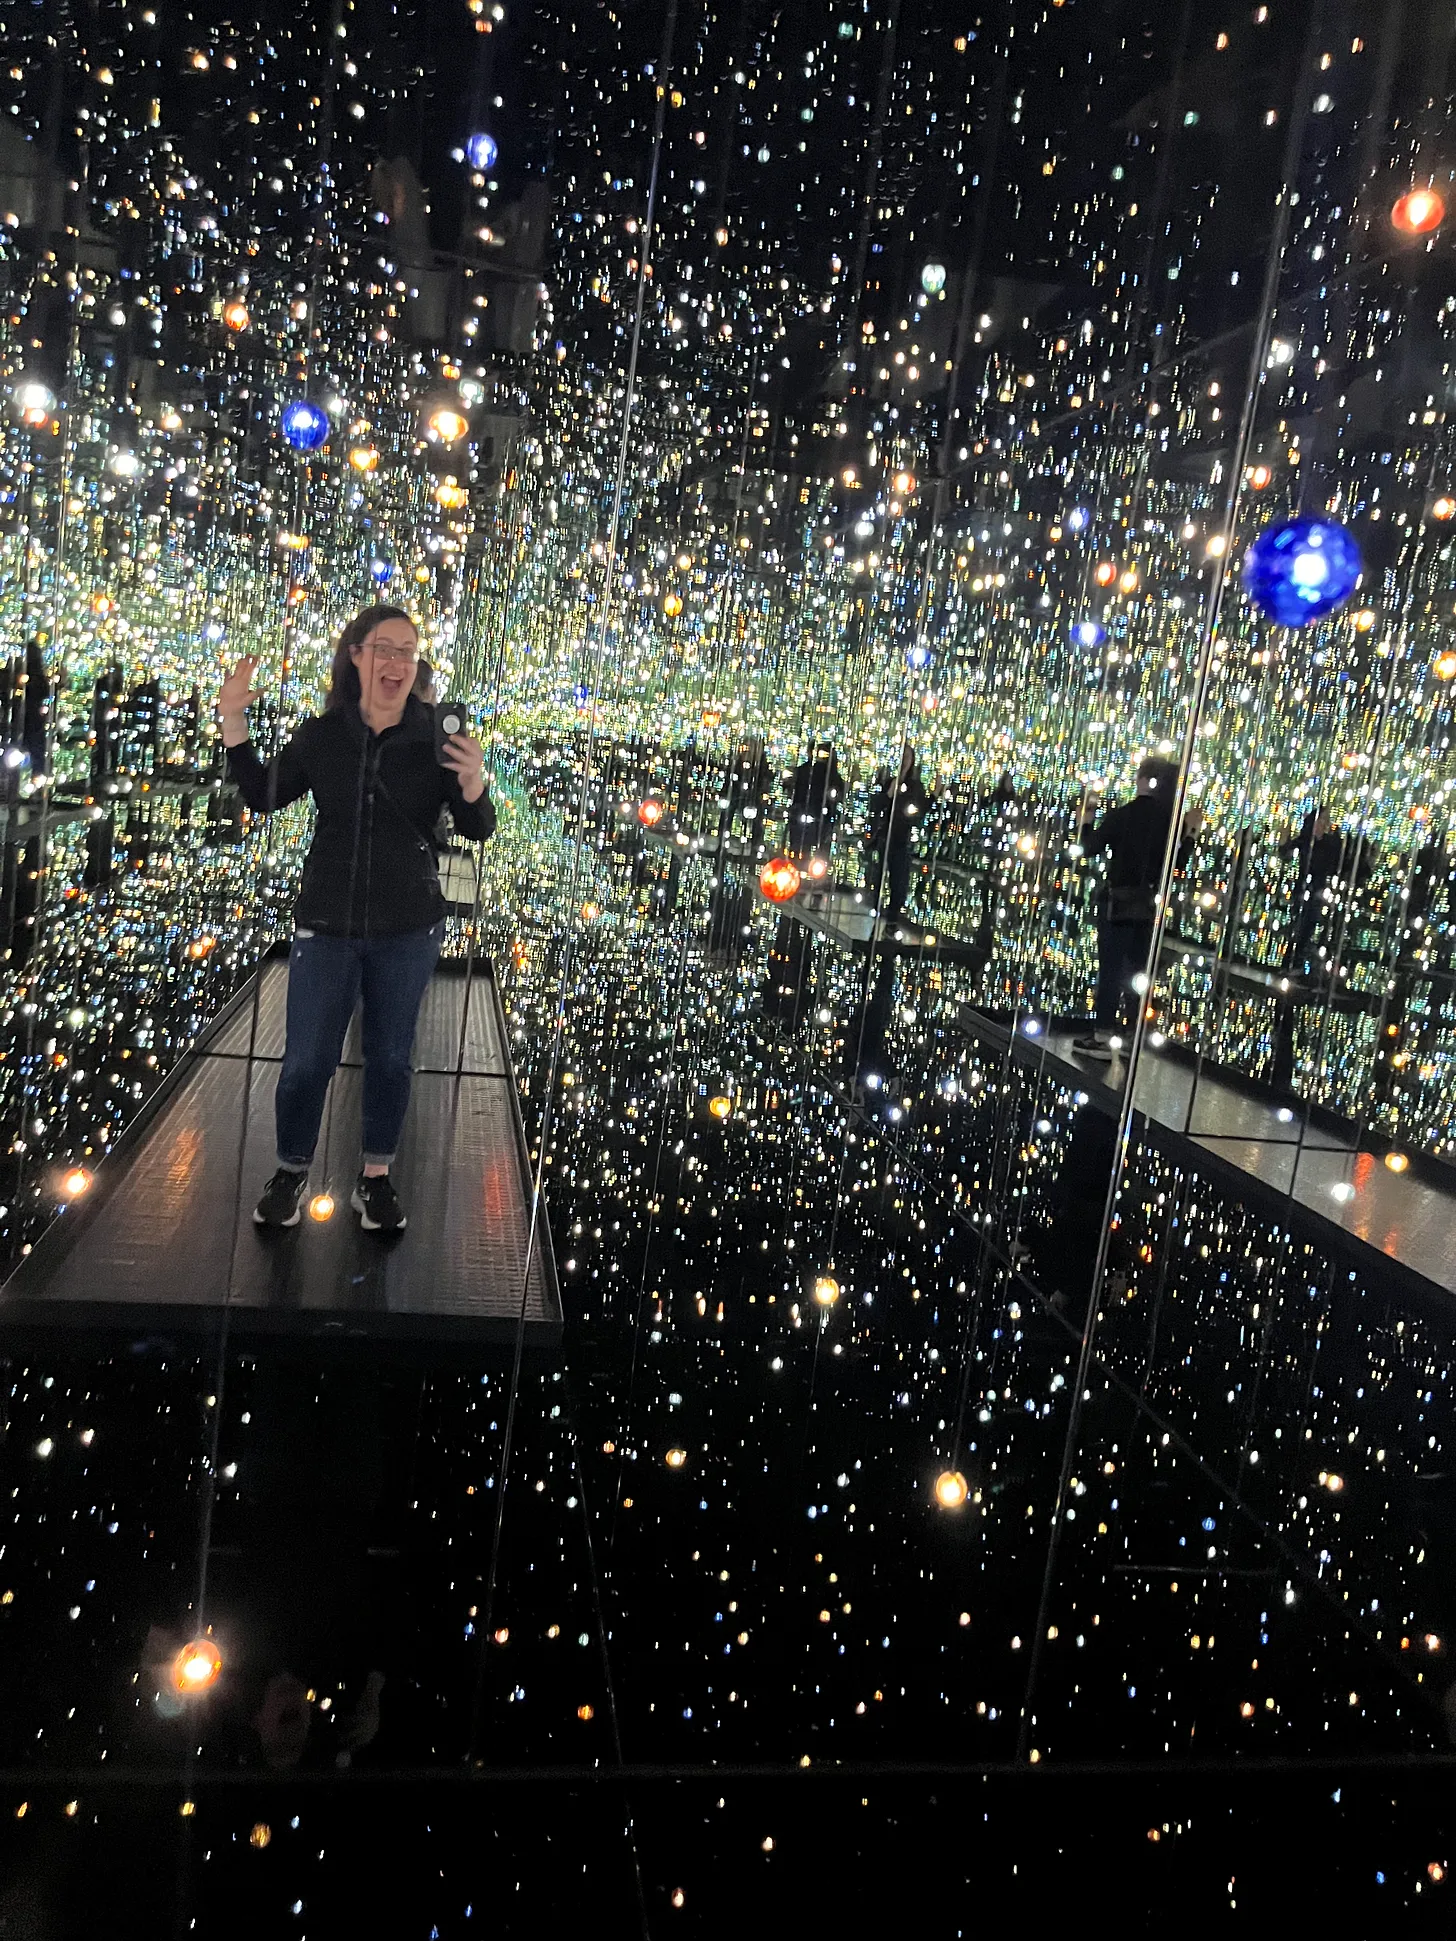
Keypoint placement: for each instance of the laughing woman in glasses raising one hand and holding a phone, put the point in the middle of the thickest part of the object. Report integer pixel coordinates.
(370, 915)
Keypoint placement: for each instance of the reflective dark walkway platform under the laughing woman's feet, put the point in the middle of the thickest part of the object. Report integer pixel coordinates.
(166, 1241)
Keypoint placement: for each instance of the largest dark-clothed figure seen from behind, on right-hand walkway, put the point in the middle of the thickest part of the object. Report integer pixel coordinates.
(1135, 838)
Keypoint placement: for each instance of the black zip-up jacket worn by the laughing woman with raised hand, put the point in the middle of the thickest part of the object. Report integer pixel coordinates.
(372, 867)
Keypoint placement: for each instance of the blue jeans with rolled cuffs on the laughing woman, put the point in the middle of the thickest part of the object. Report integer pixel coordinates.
(325, 981)
